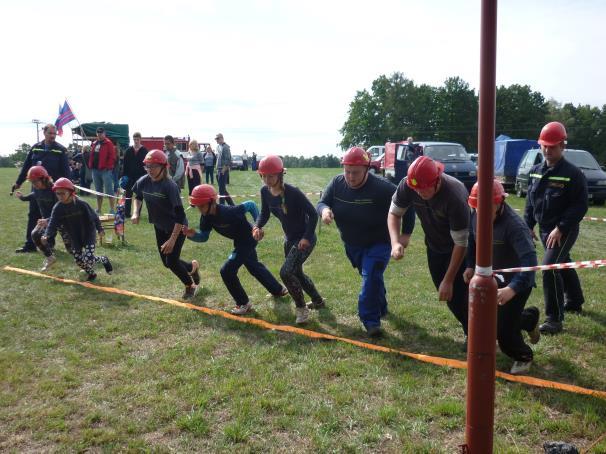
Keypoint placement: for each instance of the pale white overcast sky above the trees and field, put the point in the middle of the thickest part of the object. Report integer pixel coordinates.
(272, 76)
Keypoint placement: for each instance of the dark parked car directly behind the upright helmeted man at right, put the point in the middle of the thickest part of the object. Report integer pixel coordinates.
(596, 177)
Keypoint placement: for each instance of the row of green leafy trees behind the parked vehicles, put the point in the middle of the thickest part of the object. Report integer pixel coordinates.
(395, 107)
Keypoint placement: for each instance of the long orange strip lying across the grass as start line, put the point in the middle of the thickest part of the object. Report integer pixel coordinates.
(454, 363)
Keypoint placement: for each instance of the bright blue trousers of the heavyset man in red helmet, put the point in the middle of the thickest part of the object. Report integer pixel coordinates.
(371, 263)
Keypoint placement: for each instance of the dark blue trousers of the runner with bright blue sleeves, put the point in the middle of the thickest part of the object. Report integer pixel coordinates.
(246, 256)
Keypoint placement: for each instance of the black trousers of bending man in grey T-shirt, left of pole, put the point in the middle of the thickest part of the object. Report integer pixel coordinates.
(458, 305)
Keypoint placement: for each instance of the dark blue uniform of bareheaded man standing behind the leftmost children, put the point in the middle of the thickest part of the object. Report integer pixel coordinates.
(54, 159)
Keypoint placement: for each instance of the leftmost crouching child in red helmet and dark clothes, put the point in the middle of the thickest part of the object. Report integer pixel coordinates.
(45, 198)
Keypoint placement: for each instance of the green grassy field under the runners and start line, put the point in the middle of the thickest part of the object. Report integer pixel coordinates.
(83, 370)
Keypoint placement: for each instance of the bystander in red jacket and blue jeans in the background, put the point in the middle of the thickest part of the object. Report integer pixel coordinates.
(101, 162)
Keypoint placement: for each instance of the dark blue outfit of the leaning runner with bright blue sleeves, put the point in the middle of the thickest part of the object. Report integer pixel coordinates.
(230, 221)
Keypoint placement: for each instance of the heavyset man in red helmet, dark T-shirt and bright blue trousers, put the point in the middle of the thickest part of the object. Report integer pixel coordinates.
(359, 202)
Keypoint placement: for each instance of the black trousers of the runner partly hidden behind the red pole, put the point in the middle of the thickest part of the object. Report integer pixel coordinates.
(512, 318)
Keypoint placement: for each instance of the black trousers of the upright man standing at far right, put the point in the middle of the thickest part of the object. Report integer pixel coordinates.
(560, 286)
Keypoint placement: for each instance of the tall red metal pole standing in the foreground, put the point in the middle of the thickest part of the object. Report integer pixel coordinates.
(483, 288)
